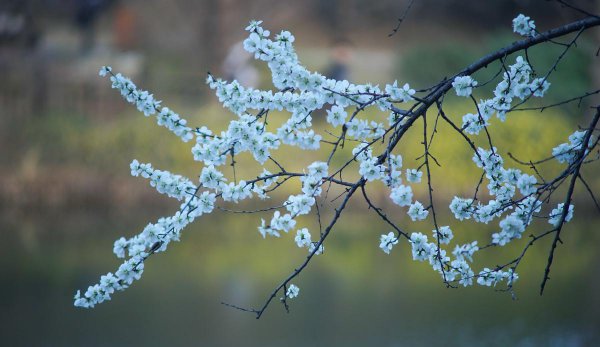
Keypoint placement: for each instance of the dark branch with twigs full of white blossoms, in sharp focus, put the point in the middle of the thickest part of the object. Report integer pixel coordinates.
(515, 197)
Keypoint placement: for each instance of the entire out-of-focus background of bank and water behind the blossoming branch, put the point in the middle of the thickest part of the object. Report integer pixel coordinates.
(66, 140)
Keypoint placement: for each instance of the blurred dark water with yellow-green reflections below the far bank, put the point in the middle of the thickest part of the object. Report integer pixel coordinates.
(354, 295)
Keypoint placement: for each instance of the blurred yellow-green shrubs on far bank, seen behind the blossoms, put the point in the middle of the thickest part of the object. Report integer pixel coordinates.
(109, 147)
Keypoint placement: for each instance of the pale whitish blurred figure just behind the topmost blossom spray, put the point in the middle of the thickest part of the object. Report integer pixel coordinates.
(238, 66)
